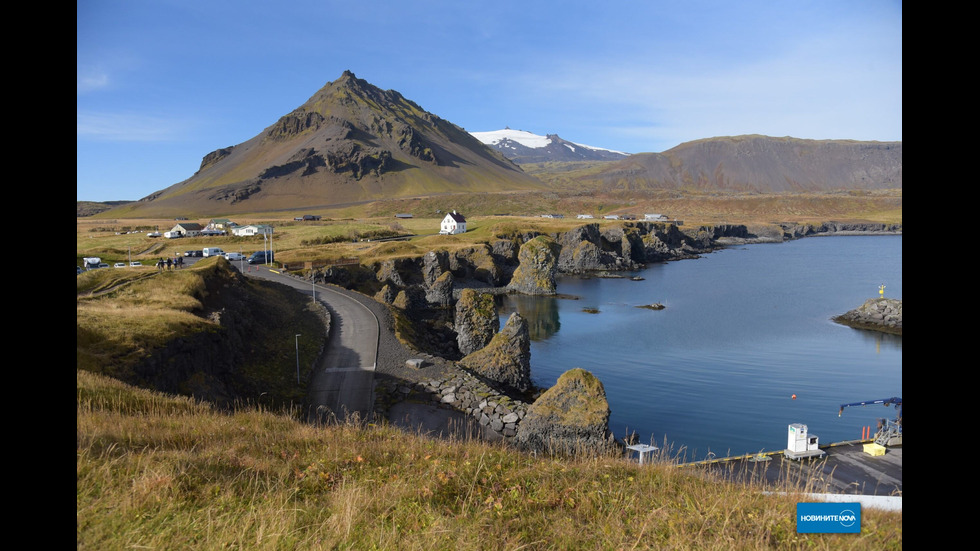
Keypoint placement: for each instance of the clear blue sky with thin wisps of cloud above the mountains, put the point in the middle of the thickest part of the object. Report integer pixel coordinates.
(162, 83)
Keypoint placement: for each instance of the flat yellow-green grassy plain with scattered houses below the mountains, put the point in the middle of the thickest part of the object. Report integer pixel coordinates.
(487, 215)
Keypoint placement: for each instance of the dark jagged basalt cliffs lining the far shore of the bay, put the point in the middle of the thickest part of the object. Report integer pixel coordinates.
(426, 288)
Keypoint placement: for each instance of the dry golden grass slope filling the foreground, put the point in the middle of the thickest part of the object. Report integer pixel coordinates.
(165, 472)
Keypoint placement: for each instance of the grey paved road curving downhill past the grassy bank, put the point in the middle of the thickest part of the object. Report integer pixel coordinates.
(342, 385)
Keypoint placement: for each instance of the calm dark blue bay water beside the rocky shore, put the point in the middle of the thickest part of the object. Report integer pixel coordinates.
(745, 328)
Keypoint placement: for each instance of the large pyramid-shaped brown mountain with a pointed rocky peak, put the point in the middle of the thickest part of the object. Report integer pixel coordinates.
(350, 142)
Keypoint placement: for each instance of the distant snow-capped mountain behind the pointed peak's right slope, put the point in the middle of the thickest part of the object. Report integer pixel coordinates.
(525, 147)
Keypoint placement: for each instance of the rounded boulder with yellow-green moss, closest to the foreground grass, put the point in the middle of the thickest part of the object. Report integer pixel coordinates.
(570, 418)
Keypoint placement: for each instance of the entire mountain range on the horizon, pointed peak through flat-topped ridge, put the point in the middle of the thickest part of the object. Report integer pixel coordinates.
(353, 143)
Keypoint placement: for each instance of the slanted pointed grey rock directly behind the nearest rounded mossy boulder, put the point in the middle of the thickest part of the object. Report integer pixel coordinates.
(507, 359)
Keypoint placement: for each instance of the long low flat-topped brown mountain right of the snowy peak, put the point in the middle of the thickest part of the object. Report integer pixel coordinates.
(756, 163)
